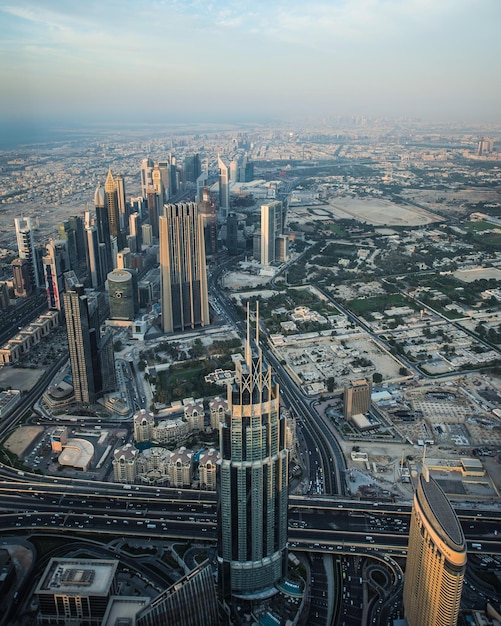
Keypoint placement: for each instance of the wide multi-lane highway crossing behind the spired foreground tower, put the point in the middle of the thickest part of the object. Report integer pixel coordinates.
(315, 523)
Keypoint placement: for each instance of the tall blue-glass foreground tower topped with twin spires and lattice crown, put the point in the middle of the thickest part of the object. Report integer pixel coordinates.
(252, 481)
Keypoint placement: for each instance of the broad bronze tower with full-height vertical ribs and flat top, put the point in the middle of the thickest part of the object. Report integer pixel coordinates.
(183, 273)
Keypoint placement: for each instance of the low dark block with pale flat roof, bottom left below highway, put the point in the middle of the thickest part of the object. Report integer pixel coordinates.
(76, 591)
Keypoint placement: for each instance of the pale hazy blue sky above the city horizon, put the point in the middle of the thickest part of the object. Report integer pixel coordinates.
(248, 60)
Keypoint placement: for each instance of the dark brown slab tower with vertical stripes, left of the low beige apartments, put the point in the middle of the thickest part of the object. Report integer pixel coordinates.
(82, 325)
